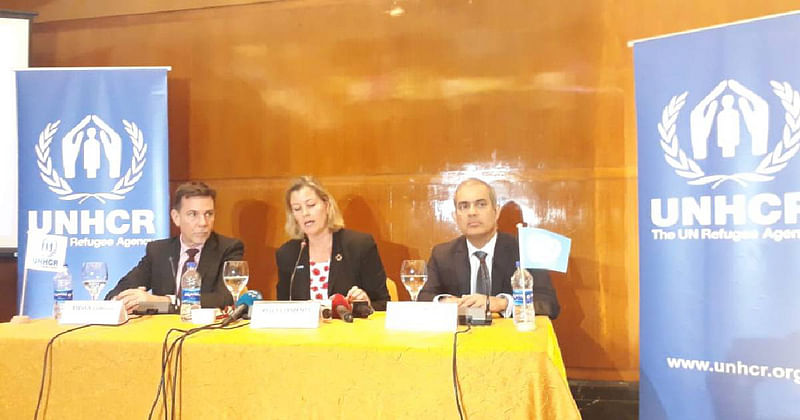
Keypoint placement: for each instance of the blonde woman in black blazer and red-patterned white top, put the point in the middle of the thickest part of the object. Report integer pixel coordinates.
(328, 258)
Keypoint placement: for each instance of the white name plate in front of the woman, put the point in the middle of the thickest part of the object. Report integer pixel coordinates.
(284, 314)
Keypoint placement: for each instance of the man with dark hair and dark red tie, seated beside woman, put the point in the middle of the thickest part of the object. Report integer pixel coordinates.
(165, 260)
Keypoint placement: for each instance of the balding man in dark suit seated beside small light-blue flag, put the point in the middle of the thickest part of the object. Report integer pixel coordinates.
(459, 270)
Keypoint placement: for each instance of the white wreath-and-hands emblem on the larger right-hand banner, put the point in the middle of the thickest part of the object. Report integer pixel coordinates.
(754, 110)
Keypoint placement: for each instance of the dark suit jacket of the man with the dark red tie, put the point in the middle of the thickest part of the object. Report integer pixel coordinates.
(155, 271)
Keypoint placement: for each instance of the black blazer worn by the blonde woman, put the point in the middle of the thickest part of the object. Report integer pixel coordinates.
(354, 262)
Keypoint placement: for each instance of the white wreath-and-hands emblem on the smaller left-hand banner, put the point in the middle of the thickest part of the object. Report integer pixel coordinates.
(83, 138)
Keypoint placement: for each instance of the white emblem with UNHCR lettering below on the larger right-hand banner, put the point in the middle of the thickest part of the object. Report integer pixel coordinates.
(731, 122)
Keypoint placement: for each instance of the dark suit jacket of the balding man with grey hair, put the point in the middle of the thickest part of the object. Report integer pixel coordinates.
(448, 273)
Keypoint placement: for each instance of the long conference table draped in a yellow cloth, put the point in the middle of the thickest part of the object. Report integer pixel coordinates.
(339, 370)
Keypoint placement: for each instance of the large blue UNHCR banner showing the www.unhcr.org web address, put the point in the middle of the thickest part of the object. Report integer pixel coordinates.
(718, 114)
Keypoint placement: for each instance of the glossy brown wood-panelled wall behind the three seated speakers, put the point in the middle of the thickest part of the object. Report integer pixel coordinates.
(392, 111)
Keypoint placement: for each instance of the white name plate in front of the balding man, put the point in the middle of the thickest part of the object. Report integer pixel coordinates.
(422, 316)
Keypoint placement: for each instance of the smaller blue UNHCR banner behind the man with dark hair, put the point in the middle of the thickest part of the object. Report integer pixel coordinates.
(92, 167)
